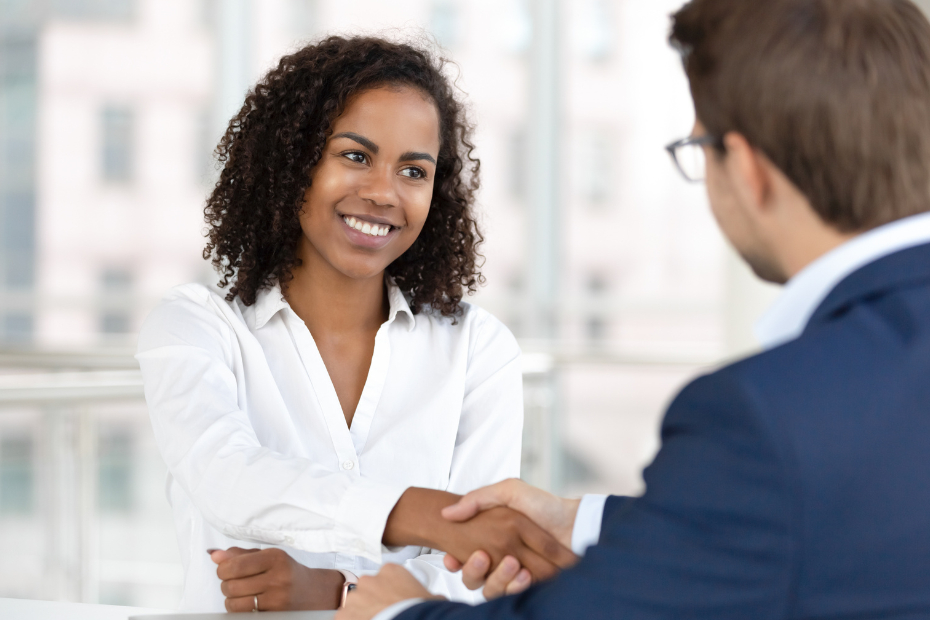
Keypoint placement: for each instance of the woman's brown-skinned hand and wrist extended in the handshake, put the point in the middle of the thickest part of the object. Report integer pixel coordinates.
(499, 531)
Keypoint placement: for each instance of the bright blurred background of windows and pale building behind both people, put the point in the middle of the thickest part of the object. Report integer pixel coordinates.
(603, 261)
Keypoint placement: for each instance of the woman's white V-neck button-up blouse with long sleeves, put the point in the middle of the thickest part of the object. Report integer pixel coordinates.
(258, 450)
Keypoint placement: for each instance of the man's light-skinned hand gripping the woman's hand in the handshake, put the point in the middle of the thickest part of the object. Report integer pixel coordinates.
(555, 514)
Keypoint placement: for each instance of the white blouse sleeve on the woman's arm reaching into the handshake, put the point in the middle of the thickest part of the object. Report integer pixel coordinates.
(187, 352)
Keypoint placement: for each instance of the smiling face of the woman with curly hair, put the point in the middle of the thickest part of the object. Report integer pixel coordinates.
(371, 190)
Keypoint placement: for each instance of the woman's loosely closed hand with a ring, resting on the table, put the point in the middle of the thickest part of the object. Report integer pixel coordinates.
(280, 582)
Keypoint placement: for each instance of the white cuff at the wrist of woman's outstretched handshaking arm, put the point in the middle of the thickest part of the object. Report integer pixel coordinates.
(362, 516)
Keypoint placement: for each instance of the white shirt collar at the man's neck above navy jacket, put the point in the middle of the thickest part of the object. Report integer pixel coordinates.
(788, 316)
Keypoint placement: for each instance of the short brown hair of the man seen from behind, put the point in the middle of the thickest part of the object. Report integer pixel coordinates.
(836, 93)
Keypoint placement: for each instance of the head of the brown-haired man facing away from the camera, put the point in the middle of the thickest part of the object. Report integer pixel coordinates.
(821, 105)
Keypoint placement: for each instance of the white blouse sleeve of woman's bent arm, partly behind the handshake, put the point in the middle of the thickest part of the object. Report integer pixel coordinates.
(489, 441)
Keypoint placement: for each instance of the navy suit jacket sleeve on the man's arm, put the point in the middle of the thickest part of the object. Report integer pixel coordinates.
(712, 537)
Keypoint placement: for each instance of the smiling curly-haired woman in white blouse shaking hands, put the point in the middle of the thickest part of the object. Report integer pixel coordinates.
(321, 404)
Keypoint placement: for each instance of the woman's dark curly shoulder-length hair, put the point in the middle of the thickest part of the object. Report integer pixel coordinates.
(272, 145)
